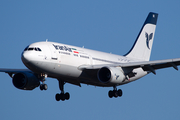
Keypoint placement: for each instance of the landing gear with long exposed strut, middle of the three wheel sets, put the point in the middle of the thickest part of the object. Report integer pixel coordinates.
(62, 96)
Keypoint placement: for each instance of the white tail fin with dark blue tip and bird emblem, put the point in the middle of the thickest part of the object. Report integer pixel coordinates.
(143, 45)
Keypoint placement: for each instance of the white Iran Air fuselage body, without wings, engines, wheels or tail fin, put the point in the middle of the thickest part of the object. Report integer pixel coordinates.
(63, 62)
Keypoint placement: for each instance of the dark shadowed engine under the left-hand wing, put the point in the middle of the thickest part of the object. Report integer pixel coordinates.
(25, 81)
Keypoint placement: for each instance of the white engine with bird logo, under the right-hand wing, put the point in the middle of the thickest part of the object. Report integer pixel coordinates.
(112, 75)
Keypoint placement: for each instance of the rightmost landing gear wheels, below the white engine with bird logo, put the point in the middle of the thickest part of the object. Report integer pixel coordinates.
(115, 93)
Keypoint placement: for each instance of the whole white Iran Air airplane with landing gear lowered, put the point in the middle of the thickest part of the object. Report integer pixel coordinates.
(76, 65)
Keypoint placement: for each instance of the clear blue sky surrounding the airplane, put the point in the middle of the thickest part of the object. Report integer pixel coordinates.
(104, 25)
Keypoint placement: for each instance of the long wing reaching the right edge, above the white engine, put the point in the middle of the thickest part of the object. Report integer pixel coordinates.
(145, 65)
